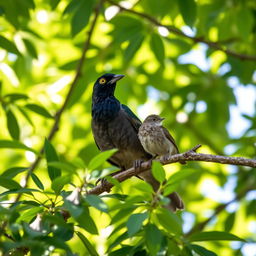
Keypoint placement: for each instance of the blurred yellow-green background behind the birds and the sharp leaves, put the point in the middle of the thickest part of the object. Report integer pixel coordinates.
(206, 95)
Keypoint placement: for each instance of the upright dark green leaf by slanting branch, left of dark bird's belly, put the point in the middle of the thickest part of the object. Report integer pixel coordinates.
(51, 156)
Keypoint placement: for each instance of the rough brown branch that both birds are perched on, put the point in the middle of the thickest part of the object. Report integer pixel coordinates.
(190, 155)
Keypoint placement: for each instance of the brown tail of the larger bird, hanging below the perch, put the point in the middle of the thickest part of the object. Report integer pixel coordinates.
(176, 201)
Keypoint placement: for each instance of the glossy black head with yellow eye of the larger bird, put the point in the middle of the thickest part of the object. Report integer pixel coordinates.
(105, 85)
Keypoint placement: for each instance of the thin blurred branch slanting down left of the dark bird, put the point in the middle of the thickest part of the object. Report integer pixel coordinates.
(59, 113)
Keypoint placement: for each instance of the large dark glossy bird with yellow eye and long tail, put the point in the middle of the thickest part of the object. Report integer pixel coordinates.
(114, 125)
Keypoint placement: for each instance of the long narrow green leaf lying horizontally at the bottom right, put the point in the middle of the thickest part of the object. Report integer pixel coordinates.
(214, 236)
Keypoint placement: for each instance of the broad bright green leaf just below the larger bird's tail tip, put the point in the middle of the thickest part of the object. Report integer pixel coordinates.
(169, 221)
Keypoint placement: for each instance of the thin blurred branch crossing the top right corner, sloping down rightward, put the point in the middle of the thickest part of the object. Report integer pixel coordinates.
(176, 31)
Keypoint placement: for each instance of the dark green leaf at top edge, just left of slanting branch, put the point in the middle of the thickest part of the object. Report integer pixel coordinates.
(81, 16)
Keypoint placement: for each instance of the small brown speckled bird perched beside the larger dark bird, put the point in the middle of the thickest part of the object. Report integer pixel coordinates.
(157, 141)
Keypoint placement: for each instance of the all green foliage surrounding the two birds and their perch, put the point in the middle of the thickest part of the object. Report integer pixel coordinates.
(156, 44)
